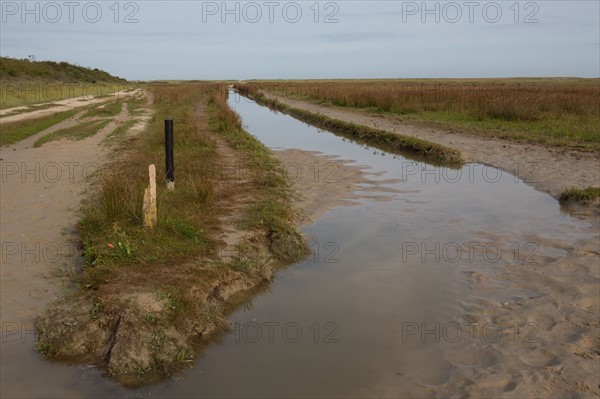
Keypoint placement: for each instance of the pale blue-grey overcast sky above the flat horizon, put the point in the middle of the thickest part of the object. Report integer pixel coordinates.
(144, 40)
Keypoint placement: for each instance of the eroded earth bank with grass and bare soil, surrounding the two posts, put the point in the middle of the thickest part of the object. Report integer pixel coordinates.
(143, 295)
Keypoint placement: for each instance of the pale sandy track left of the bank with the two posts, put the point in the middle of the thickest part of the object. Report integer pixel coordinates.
(40, 194)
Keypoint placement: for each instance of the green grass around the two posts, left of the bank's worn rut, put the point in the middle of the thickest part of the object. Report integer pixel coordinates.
(115, 210)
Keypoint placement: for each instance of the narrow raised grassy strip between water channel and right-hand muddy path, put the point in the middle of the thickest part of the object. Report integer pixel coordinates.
(410, 147)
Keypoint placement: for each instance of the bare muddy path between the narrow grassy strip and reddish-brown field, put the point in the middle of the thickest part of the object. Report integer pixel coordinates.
(548, 169)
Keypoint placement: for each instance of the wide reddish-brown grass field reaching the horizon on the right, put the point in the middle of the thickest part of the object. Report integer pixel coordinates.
(556, 112)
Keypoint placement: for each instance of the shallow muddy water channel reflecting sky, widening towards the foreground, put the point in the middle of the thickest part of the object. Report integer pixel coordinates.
(381, 308)
